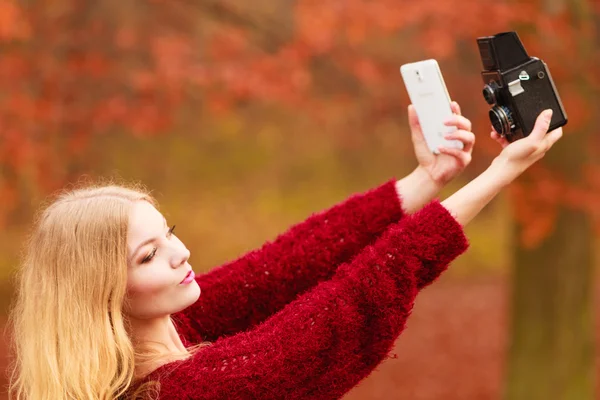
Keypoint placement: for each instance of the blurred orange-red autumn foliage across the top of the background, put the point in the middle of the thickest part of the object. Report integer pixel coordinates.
(77, 69)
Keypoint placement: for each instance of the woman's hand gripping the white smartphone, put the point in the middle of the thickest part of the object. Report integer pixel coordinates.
(443, 167)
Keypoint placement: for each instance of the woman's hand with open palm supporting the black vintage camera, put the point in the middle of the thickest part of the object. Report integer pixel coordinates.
(519, 155)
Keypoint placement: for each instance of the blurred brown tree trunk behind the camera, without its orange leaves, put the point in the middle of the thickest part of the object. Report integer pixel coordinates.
(551, 353)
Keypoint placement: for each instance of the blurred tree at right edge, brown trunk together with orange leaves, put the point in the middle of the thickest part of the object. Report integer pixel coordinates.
(552, 351)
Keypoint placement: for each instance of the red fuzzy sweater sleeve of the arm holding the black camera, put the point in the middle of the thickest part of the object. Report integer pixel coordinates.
(323, 343)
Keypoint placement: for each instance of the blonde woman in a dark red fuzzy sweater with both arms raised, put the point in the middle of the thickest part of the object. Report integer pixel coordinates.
(108, 306)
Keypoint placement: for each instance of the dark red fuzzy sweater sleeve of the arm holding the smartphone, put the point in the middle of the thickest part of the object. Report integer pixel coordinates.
(245, 292)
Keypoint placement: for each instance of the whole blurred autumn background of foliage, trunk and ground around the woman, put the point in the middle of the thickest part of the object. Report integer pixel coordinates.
(246, 117)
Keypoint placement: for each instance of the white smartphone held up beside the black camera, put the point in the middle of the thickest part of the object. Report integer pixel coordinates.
(429, 96)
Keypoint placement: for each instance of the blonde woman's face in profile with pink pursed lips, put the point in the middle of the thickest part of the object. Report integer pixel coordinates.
(160, 280)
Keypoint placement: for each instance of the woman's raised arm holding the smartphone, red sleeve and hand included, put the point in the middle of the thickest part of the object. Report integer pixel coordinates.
(245, 292)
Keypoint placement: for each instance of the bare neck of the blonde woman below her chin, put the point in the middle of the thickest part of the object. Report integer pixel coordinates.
(156, 343)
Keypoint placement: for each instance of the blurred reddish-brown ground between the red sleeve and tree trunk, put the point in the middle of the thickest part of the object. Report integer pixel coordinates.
(453, 348)
